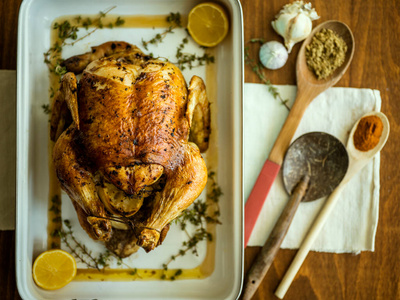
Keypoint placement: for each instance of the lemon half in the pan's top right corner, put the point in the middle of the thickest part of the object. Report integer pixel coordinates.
(208, 24)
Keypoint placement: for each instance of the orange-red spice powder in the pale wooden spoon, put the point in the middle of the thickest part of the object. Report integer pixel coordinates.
(368, 133)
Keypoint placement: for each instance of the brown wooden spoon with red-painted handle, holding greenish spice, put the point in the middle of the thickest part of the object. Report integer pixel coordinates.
(308, 87)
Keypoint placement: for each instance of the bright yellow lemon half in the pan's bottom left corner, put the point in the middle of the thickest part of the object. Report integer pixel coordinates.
(54, 269)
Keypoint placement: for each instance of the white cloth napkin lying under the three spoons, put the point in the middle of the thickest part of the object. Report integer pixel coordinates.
(352, 225)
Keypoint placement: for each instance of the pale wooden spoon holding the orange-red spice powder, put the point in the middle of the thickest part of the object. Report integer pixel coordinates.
(358, 159)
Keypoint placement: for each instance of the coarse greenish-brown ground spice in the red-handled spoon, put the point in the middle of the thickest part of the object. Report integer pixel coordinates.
(325, 53)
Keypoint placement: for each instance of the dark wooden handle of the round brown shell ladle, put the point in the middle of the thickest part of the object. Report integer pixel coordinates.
(270, 249)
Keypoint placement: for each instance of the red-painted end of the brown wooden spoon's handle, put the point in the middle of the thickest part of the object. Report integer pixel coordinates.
(257, 197)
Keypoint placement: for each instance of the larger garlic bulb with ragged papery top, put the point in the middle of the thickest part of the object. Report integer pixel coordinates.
(294, 22)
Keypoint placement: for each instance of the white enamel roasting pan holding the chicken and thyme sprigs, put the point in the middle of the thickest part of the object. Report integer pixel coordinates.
(35, 20)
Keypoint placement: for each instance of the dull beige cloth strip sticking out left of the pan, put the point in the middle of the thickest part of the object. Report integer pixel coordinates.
(7, 149)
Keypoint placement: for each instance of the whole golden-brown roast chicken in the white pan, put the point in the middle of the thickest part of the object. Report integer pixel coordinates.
(127, 148)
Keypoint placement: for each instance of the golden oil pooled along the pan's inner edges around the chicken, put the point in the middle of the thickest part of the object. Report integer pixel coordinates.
(206, 268)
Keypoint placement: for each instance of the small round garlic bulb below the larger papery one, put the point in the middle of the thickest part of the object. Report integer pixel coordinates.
(273, 55)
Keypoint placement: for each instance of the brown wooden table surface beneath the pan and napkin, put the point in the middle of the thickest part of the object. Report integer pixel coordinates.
(376, 65)
